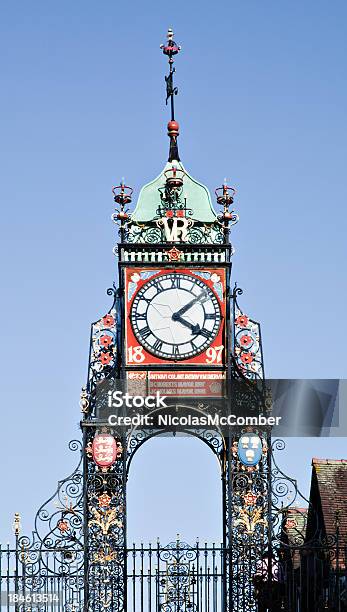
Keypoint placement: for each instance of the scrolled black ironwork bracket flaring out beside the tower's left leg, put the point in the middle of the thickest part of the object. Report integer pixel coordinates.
(55, 550)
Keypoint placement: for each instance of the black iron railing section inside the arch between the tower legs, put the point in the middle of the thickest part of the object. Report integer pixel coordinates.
(176, 578)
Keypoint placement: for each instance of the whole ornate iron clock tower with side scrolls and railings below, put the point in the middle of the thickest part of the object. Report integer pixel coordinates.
(175, 327)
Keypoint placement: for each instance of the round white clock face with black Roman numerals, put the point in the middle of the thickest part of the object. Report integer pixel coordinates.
(175, 316)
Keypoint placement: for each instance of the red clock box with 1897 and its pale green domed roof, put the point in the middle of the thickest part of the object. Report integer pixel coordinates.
(174, 267)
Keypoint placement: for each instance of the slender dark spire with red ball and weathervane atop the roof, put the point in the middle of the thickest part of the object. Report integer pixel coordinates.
(170, 49)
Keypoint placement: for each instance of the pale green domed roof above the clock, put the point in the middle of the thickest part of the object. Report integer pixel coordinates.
(198, 198)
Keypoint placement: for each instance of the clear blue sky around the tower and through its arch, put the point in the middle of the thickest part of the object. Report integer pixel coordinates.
(262, 101)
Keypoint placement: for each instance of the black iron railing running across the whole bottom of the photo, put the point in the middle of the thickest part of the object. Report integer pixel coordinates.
(179, 578)
